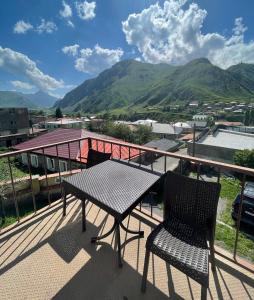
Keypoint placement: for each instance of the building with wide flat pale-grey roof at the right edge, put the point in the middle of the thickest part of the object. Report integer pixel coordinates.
(222, 145)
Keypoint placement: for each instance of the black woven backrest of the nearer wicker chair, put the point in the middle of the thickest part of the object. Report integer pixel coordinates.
(192, 201)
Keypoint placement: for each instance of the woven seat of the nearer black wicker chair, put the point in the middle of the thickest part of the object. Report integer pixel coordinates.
(182, 246)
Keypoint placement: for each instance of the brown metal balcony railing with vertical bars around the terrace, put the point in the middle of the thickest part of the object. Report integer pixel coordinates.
(75, 165)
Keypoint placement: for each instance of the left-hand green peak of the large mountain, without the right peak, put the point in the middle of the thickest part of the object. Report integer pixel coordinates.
(116, 87)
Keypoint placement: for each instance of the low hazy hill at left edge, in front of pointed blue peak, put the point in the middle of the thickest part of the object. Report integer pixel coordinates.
(14, 99)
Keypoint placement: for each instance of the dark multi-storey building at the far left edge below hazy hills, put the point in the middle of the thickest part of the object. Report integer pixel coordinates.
(14, 121)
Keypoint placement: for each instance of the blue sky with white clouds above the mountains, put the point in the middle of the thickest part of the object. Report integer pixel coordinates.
(55, 45)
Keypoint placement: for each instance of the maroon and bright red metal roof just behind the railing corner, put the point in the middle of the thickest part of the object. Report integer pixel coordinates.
(61, 135)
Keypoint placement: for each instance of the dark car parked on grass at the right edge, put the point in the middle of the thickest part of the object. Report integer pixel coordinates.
(248, 205)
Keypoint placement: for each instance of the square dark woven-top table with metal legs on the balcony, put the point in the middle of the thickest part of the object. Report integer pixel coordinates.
(116, 187)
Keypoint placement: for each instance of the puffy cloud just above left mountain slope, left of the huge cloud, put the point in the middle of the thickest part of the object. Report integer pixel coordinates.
(97, 59)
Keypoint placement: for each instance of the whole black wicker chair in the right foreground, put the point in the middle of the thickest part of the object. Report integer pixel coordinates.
(190, 218)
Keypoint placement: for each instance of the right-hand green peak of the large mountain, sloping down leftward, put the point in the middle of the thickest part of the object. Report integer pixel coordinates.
(202, 81)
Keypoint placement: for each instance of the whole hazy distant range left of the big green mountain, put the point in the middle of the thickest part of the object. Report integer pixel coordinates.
(37, 100)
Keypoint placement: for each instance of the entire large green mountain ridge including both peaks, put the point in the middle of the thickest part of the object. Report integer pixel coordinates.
(132, 83)
